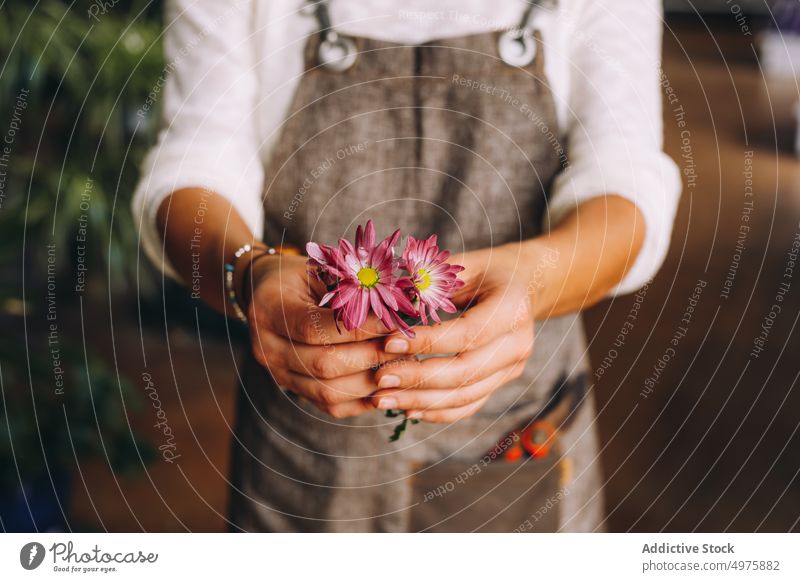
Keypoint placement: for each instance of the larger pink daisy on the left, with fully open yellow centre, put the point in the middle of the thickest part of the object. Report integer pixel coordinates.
(362, 277)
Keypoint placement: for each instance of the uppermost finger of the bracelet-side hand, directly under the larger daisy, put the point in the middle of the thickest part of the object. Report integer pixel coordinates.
(298, 319)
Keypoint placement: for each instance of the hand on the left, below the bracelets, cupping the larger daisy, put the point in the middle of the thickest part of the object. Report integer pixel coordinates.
(299, 344)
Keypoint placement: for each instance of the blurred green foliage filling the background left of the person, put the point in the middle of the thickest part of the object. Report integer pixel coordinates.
(85, 68)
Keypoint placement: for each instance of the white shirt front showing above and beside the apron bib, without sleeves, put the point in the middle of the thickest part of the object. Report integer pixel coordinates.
(280, 30)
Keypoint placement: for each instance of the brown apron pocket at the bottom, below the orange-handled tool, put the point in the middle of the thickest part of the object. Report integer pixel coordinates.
(499, 496)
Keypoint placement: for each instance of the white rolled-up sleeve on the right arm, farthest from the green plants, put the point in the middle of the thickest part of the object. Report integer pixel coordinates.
(614, 130)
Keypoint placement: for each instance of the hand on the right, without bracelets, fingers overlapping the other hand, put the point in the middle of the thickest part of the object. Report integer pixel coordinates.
(490, 342)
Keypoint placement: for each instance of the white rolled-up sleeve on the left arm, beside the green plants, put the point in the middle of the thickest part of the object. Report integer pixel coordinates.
(208, 137)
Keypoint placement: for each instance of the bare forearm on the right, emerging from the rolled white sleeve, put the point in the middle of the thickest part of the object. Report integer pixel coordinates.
(585, 256)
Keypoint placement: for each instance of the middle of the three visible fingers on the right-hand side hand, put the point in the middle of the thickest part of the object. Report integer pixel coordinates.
(459, 370)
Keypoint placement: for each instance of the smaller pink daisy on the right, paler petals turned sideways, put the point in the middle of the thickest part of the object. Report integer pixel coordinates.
(434, 280)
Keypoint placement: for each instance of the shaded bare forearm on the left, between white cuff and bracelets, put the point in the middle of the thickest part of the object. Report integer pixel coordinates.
(201, 232)
